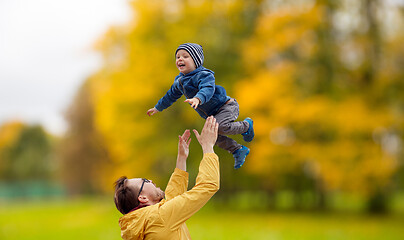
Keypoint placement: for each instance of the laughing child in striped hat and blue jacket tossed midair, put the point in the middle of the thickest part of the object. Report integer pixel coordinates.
(197, 84)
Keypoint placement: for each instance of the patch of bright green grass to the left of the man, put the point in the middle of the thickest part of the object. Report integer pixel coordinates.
(57, 219)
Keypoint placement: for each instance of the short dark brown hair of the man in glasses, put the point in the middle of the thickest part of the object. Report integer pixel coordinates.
(126, 198)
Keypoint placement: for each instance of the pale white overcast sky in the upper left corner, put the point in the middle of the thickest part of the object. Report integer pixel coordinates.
(46, 54)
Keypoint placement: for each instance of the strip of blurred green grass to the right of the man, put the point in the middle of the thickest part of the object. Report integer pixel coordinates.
(227, 225)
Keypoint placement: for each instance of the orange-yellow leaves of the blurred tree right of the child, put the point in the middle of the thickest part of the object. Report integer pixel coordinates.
(329, 139)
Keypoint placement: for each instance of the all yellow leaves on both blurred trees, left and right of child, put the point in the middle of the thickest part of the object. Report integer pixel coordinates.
(329, 138)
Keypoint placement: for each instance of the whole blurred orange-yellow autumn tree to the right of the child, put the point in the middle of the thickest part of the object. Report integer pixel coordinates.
(318, 126)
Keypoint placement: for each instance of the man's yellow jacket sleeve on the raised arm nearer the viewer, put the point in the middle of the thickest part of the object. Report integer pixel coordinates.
(179, 209)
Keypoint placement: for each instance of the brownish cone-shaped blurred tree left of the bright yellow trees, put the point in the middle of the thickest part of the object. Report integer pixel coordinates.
(82, 155)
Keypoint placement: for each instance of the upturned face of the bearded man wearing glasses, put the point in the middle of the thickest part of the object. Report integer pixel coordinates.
(153, 193)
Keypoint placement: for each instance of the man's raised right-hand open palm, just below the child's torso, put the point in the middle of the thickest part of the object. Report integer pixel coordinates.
(208, 136)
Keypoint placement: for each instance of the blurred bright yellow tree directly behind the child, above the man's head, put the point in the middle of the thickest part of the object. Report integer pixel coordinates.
(139, 67)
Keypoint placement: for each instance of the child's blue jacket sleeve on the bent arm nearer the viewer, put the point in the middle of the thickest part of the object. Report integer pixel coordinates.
(206, 86)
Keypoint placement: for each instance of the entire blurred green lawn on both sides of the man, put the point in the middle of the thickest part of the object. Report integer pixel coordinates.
(98, 219)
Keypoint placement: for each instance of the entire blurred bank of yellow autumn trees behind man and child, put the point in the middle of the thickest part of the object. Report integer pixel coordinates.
(321, 79)
